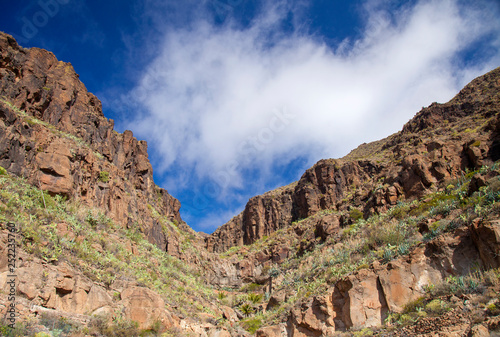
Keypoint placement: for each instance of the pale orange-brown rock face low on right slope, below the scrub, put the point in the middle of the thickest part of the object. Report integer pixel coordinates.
(364, 298)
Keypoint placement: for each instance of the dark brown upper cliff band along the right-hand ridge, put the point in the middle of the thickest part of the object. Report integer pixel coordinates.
(435, 146)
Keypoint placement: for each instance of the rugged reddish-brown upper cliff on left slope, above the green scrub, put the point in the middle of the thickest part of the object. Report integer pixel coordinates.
(53, 133)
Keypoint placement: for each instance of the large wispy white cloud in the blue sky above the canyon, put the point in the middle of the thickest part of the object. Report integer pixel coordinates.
(219, 100)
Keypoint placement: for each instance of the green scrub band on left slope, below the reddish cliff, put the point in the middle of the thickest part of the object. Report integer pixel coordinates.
(22, 203)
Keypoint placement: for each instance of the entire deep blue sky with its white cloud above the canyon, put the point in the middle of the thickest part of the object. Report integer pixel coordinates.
(237, 97)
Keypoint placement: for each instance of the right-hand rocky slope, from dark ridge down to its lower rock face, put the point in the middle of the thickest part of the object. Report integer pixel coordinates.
(384, 200)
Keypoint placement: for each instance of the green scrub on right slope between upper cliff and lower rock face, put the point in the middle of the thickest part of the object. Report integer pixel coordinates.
(383, 237)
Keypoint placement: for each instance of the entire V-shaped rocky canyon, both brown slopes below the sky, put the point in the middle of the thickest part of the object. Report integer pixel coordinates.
(399, 238)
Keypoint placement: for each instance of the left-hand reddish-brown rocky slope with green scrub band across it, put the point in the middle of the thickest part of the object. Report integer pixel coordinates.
(83, 199)
